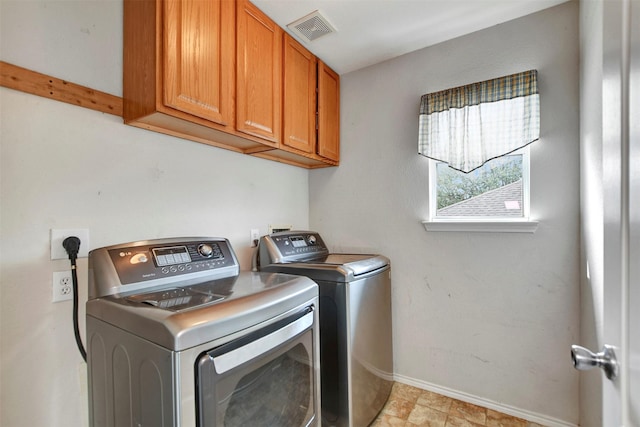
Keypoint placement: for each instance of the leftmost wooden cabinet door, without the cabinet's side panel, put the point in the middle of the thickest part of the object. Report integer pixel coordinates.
(199, 53)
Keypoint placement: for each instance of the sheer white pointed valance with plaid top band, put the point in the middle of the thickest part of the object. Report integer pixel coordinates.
(470, 125)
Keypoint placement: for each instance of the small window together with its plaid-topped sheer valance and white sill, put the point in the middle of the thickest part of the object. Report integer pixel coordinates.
(477, 137)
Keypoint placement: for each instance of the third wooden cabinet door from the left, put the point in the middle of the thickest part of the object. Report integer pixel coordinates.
(299, 110)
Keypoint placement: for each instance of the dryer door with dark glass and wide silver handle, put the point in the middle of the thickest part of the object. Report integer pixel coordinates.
(265, 378)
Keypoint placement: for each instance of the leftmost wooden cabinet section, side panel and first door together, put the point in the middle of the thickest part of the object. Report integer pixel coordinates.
(179, 66)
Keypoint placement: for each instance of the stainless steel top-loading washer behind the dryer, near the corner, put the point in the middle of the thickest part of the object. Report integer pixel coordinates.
(356, 349)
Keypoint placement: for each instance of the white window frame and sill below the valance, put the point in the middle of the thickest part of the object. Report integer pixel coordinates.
(522, 224)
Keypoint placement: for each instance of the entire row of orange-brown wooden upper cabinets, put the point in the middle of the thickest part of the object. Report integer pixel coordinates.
(212, 71)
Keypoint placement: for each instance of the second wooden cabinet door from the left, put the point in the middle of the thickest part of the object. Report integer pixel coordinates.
(259, 74)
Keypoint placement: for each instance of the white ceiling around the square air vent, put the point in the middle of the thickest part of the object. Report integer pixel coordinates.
(372, 31)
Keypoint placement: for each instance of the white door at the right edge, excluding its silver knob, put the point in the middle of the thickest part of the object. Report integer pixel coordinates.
(621, 184)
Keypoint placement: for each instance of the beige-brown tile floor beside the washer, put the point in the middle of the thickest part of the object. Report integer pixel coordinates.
(410, 406)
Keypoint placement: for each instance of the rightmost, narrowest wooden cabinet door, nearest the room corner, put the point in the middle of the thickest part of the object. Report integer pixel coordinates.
(328, 113)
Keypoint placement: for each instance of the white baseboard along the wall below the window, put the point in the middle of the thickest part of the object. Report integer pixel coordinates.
(486, 403)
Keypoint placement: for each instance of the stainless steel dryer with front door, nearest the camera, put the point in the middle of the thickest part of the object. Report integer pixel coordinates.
(177, 336)
